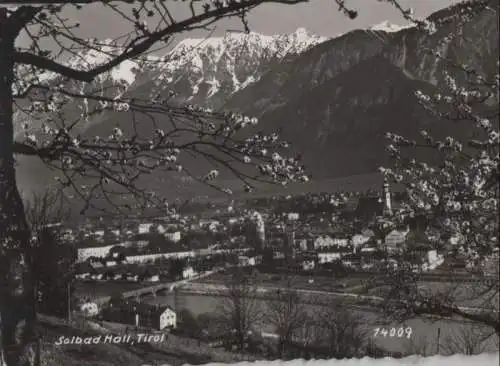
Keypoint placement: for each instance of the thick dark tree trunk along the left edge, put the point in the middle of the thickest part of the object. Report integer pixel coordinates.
(18, 346)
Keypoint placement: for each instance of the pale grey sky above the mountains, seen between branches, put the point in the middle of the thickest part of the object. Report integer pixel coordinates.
(318, 16)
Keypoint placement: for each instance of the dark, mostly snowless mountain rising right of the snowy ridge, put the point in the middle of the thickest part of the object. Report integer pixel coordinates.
(323, 71)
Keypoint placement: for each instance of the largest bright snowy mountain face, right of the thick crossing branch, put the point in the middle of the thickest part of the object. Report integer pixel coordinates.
(215, 67)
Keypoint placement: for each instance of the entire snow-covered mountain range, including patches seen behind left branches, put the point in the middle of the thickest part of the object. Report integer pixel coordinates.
(199, 70)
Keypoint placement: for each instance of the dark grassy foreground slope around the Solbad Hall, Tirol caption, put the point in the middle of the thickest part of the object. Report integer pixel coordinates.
(175, 351)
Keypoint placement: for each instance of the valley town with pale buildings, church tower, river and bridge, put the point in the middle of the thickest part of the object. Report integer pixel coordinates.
(137, 274)
